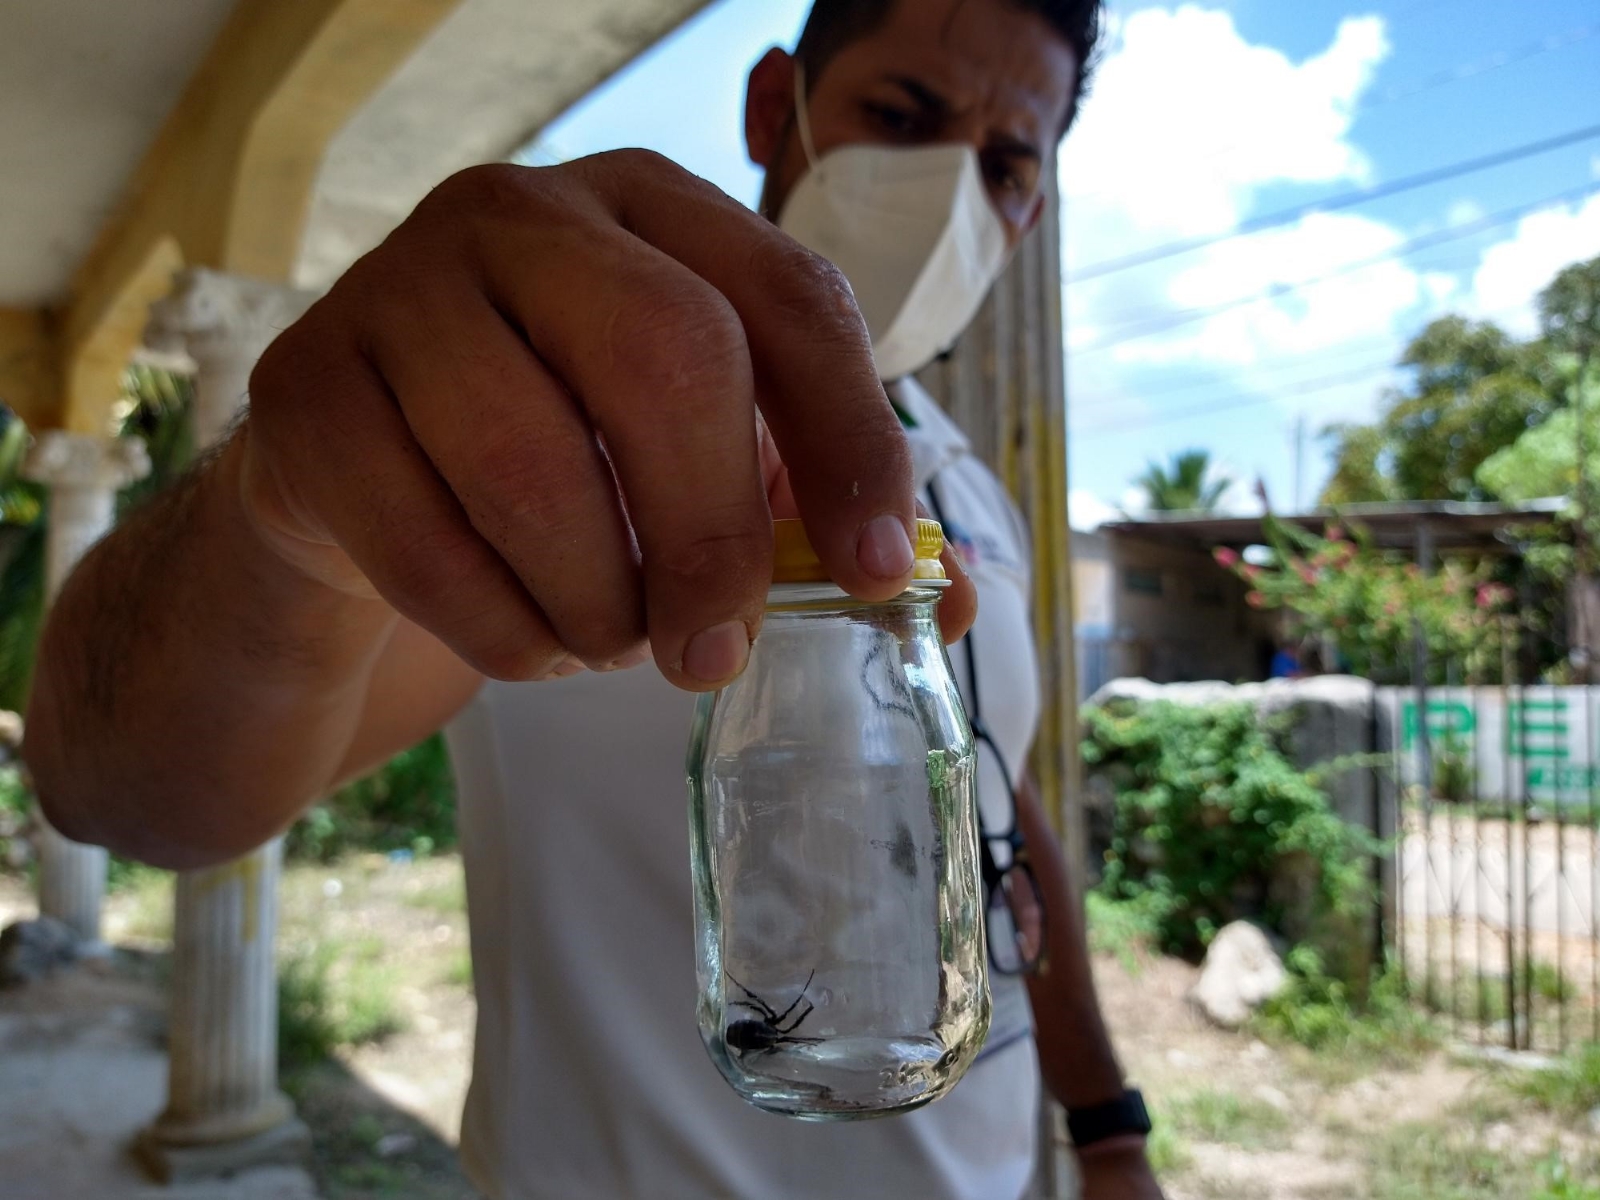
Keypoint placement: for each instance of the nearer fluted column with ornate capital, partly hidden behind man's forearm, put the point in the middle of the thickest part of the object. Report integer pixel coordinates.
(225, 1111)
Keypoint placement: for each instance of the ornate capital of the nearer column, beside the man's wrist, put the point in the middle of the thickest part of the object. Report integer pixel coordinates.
(220, 313)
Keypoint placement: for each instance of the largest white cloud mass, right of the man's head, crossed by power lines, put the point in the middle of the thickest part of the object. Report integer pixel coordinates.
(1188, 129)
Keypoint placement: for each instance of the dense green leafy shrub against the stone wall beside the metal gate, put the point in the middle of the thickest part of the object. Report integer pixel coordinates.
(1212, 823)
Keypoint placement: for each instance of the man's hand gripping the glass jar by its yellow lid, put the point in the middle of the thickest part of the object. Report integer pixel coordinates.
(527, 422)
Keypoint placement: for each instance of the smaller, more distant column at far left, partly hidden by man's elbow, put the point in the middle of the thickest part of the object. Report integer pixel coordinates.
(84, 474)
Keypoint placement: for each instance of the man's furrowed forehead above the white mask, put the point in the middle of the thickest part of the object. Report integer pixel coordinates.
(988, 54)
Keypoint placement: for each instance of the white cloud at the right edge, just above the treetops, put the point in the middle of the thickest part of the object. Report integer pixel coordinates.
(1514, 273)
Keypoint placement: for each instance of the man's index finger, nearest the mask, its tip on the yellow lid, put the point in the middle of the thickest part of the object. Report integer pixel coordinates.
(815, 378)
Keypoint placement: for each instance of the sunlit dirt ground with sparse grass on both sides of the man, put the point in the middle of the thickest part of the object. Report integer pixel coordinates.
(1239, 1118)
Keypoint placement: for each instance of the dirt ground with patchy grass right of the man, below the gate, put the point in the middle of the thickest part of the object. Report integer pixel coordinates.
(1247, 1121)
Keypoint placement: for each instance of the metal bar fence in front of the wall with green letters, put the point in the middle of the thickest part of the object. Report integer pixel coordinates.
(1494, 886)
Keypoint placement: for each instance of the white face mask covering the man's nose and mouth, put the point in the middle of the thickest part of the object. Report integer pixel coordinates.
(914, 233)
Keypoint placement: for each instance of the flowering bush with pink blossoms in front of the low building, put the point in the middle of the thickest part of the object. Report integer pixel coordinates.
(1370, 604)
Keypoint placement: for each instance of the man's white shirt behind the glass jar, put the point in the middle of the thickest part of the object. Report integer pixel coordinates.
(590, 1078)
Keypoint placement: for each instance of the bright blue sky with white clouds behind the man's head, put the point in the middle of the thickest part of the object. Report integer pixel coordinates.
(1209, 114)
